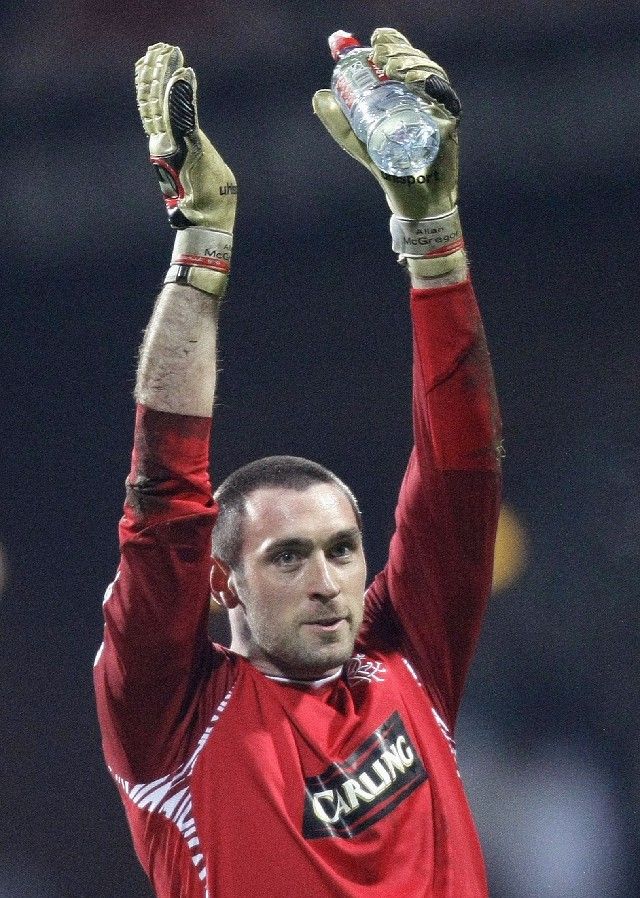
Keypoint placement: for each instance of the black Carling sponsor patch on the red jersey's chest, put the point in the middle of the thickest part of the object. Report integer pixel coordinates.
(352, 795)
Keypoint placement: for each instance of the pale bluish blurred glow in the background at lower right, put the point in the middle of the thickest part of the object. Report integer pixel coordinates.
(548, 819)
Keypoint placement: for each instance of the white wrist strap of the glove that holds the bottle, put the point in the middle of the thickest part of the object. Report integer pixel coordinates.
(436, 242)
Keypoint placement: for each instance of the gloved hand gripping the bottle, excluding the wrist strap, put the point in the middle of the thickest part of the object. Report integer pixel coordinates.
(433, 192)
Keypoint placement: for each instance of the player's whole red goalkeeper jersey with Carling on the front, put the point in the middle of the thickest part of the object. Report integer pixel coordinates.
(238, 784)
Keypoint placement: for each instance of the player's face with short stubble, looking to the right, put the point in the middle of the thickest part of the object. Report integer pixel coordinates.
(300, 592)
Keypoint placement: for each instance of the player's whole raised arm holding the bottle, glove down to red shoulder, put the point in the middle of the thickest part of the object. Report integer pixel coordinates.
(437, 581)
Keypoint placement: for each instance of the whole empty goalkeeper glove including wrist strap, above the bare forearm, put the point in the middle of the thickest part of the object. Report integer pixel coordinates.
(199, 189)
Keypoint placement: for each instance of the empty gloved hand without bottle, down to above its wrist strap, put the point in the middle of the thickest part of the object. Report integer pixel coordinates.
(198, 187)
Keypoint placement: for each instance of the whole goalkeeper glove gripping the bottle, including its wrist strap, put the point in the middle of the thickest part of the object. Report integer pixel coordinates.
(425, 225)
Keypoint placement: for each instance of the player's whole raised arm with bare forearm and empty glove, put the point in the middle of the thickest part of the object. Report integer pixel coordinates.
(155, 653)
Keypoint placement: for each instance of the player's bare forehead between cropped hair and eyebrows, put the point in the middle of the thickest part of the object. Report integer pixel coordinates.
(275, 513)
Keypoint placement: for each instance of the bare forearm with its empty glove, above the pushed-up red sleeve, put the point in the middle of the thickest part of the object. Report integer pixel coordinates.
(177, 365)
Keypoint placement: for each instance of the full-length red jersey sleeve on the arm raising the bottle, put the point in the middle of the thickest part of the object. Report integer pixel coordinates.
(432, 594)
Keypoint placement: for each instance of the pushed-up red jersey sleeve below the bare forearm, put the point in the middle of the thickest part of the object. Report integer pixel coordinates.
(156, 653)
